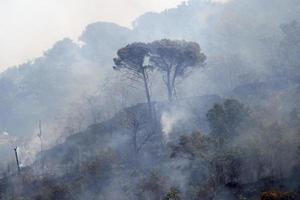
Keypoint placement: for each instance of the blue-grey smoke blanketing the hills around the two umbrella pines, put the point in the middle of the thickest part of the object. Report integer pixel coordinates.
(73, 86)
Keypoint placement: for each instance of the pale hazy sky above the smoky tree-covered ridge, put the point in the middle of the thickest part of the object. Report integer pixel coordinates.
(28, 27)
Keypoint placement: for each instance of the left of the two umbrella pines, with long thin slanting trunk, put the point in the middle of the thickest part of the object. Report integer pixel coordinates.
(133, 59)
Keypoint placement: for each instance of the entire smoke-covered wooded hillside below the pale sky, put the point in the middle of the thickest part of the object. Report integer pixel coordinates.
(198, 102)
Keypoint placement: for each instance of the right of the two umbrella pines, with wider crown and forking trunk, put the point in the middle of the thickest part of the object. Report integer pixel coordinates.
(173, 58)
